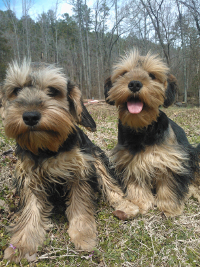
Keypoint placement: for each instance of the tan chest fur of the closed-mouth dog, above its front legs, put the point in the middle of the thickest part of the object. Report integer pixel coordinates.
(71, 165)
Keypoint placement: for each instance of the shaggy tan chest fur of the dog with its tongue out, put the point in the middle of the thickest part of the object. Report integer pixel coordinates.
(154, 163)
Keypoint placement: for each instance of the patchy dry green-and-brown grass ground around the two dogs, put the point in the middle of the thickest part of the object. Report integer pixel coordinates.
(148, 240)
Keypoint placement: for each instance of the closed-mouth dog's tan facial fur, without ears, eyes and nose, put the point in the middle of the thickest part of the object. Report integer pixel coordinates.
(54, 111)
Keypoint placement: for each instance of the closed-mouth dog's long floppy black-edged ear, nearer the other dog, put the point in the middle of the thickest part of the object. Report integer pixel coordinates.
(77, 108)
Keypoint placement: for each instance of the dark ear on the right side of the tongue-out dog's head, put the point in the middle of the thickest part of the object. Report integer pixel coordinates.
(171, 91)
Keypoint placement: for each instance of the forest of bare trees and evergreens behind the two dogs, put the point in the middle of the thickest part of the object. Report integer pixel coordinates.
(87, 43)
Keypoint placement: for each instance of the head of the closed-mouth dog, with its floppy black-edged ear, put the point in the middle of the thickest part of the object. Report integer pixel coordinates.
(41, 107)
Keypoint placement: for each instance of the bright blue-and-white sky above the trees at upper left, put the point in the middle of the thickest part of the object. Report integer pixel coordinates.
(37, 7)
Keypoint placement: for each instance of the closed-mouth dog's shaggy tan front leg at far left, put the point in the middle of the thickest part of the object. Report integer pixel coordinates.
(29, 231)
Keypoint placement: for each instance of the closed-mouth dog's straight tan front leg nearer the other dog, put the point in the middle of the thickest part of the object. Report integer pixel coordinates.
(80, 213)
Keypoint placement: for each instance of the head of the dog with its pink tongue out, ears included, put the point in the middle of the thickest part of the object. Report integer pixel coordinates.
(138, 86)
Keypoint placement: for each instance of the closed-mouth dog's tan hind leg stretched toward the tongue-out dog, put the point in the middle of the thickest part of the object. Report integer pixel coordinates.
(124, 209)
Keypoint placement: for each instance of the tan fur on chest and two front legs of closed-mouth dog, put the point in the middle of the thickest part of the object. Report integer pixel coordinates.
(35, 213)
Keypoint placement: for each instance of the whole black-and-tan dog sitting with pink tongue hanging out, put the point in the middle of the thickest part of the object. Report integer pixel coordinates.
(153, 159)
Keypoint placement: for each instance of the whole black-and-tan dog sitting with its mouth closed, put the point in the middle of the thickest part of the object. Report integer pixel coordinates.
(41, 110)
